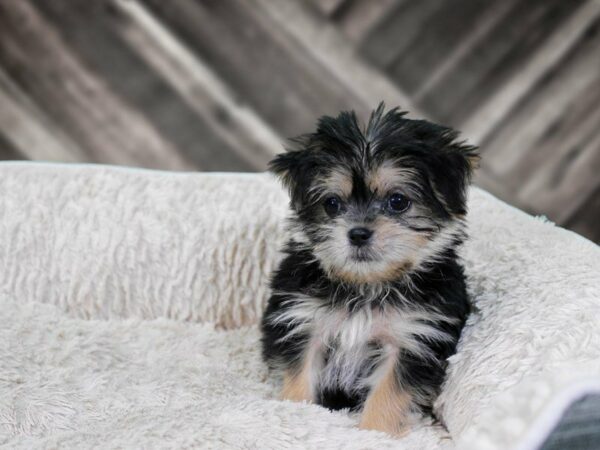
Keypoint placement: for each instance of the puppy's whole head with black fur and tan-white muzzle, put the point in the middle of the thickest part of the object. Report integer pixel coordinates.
(375, 205)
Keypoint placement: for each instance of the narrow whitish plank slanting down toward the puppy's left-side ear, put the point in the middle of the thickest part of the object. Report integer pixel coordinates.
(250, 137)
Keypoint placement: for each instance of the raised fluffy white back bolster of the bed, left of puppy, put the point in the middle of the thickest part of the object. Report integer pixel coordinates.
(105, 242)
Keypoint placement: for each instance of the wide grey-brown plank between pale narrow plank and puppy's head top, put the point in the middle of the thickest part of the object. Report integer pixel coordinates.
(261, 63)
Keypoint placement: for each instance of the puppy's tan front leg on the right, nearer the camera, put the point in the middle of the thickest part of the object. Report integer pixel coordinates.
(387, 406)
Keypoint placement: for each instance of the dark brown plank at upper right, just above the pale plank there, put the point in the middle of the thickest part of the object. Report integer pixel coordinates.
(495, 59)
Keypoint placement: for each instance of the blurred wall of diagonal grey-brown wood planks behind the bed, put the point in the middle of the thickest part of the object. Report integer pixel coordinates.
(219, 84)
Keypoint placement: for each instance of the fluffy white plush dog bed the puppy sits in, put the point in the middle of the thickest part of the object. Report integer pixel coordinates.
(130, 298)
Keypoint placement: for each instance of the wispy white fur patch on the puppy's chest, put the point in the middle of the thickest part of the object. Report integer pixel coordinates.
(346, 346)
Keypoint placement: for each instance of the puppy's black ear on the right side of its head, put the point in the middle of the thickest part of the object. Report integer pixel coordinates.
(451, 168)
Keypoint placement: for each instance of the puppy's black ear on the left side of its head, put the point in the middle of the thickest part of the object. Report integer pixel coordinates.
(294, 169)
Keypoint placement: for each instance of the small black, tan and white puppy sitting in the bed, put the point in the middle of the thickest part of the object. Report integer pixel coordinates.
(369, 300)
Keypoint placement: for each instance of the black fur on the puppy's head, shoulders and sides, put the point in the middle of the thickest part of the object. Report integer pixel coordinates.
(442, 169)
